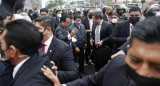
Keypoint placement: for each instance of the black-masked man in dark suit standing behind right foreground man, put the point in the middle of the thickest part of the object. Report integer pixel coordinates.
(123, 29)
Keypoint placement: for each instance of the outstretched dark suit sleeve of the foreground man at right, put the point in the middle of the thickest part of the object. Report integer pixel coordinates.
(95, 79)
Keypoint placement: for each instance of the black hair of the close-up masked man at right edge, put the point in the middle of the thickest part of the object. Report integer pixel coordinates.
(147, 31)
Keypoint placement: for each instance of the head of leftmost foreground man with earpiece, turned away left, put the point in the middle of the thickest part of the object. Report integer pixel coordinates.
(19, 40)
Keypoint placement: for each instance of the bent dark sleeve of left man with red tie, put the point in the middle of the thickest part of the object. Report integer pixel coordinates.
(70, 71)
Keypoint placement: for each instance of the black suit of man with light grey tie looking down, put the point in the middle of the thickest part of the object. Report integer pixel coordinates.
(106, 30)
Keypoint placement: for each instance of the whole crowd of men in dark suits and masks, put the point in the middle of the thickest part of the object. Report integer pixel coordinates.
(42, 50)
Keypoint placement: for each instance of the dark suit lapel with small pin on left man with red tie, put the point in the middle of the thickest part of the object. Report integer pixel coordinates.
(51, 48)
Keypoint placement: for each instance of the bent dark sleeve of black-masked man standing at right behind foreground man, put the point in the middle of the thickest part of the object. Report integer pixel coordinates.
(114, 36)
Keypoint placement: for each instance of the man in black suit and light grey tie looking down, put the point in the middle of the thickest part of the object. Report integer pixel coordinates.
(100, 37)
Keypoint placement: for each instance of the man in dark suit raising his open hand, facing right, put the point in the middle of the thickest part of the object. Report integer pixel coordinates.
(62, 32)
